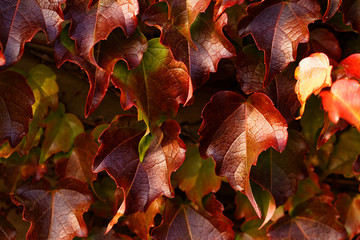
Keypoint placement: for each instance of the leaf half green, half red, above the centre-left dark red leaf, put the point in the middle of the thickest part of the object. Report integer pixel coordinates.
(156, 87)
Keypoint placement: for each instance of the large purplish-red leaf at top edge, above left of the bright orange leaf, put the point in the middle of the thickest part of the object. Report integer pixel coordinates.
(278, 27)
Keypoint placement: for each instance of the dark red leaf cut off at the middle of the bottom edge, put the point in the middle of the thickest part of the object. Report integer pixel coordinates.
(183, 221)
